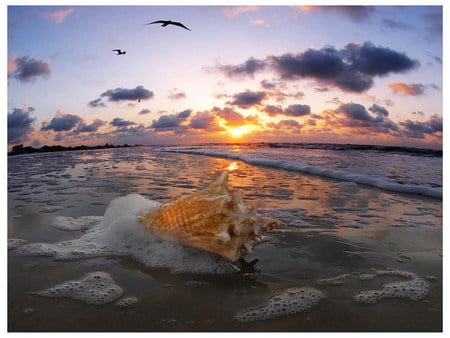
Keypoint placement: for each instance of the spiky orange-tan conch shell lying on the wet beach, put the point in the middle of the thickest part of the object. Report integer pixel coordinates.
(212, 219)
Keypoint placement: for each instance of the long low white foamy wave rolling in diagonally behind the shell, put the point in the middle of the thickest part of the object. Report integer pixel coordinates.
(377, 182)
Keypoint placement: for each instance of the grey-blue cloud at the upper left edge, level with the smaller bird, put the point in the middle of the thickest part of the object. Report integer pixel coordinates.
(27, 69)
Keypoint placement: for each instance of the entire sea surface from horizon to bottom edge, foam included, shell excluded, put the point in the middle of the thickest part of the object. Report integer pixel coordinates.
(359, 249)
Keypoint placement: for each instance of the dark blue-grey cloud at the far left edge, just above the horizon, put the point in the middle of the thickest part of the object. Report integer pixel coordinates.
(20, 124)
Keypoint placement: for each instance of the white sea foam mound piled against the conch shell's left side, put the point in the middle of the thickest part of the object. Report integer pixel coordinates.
(118, 233)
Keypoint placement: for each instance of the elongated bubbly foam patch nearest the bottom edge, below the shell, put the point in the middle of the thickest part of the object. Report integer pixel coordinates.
(292, 300)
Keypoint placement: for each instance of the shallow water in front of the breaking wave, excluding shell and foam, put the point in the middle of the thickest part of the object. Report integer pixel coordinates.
(335, 234)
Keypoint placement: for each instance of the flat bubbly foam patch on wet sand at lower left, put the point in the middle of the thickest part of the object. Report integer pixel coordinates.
(94, 288)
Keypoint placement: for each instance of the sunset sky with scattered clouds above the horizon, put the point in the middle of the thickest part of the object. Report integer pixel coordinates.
(259, 73)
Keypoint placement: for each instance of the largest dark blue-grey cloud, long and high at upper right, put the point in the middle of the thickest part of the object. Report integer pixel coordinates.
(351, 69)
